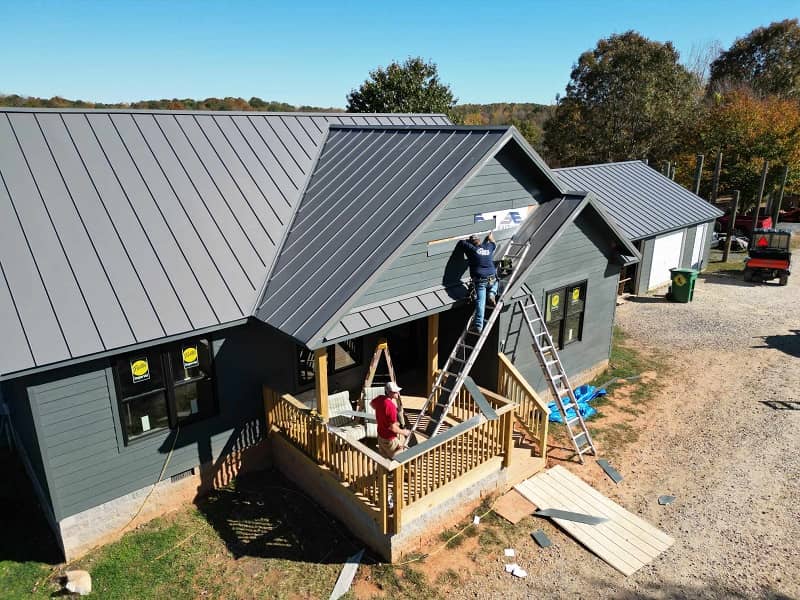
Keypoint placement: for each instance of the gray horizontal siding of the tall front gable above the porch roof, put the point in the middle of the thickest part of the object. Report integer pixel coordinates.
(506, 181)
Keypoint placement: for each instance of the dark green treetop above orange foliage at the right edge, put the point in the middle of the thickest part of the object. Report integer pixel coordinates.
(766, 60)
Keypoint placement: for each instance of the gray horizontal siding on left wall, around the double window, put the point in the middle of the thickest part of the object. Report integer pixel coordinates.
(82, 449)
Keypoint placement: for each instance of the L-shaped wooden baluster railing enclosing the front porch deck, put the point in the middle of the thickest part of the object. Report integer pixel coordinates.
(372, 479)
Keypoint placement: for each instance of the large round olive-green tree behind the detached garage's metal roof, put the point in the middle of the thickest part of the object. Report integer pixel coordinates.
(629, 98)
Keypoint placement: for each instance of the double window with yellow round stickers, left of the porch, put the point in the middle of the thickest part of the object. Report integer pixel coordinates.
(162, 387)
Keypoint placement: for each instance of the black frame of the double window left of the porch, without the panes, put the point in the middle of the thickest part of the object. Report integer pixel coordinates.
(162, 357)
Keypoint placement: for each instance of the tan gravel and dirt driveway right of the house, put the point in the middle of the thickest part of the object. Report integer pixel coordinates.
(719, 431)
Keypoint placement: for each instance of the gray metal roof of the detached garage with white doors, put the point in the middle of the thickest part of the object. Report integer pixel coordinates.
(641, 201)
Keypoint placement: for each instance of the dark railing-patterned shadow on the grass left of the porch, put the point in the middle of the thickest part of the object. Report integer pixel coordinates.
(263, 515)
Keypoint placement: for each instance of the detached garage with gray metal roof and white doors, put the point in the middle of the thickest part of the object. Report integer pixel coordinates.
(669, 225)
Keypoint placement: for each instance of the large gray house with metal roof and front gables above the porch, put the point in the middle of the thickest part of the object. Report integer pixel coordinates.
(159, 269)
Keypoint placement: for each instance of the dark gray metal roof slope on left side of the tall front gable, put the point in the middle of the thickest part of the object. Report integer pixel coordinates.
(370, 191)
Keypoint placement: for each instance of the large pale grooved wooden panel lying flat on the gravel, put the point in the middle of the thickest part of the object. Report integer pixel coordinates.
(625, 541)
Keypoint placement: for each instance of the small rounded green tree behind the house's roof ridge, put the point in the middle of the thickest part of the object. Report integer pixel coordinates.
(411, 87)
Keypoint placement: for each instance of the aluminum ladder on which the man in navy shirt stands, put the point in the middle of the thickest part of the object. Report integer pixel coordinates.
(461, 360)
